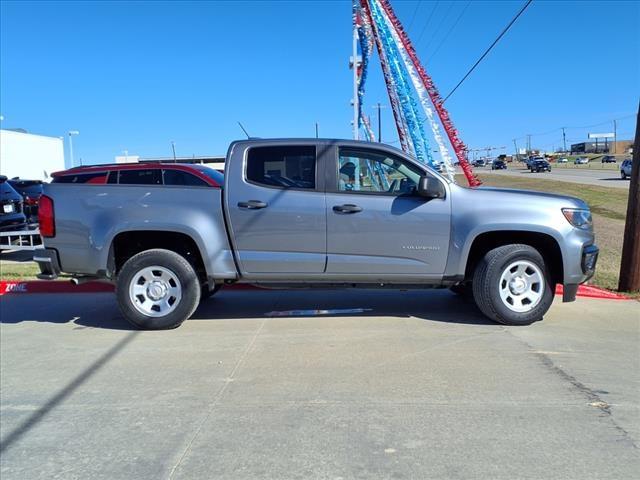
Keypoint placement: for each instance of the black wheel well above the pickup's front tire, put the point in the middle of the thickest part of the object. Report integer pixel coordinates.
(545, 244)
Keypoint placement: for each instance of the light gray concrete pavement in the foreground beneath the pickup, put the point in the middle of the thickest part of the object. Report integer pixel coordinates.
(416, 385)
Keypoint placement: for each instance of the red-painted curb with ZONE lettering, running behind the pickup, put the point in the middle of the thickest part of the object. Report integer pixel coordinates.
(45, 286)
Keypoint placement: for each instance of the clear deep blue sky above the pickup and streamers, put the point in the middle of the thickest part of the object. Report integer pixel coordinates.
(135, 76)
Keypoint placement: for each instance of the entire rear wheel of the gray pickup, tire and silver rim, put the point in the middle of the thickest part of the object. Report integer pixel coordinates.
(157, 289)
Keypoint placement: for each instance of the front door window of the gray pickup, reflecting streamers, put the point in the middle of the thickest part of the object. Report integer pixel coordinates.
(375, 172)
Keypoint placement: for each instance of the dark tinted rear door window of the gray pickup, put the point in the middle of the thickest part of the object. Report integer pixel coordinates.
(282, 167)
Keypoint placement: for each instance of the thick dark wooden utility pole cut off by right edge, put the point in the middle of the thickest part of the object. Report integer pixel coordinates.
(630, 262)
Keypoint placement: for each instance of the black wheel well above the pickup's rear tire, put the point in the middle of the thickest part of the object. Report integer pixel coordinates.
(127, 244)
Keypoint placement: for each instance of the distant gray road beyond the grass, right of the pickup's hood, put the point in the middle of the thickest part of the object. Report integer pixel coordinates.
(603, 178)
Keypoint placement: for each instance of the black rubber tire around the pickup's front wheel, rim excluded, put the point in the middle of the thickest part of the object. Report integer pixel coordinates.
(486, 285)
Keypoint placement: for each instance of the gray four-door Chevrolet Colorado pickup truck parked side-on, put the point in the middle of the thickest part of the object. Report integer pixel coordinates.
(307, 213)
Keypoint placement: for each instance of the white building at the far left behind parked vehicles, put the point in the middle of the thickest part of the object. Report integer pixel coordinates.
(28, 156)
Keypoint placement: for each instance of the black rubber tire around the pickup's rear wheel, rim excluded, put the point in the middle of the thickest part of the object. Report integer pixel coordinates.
(183, 271)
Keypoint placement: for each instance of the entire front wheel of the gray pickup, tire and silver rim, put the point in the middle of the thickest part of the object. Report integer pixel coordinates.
(511, 285)
